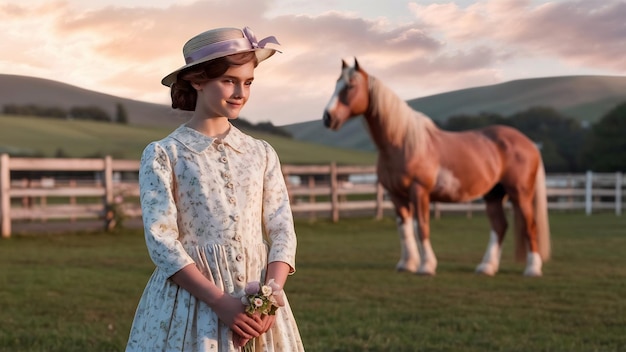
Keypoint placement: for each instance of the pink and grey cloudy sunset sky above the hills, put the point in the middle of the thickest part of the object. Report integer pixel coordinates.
(417, 48)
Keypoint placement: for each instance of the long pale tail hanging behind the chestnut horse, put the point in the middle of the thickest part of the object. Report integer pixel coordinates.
(541, 214)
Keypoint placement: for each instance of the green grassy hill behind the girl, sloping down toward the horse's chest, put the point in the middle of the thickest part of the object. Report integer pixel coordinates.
(32, 136)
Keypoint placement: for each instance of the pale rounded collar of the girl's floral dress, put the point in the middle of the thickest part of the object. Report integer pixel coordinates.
(198, 142)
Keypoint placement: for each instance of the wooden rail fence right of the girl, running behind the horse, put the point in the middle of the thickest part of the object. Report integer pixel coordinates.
(341, 189)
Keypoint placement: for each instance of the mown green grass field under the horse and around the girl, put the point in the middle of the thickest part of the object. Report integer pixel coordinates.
(78, 292)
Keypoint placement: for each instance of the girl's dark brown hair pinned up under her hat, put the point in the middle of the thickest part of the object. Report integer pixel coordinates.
(183, 94)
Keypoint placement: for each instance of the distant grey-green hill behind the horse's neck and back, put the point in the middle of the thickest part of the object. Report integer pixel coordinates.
(586, 98)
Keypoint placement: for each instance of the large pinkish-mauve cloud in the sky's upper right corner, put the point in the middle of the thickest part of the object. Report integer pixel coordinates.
(586, 33)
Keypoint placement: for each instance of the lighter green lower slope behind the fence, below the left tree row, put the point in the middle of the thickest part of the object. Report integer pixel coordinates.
(75, 138)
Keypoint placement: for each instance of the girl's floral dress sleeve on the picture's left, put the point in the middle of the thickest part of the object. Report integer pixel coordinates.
(156, 182)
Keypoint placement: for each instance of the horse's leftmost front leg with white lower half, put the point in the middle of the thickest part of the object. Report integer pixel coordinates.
(409, 256)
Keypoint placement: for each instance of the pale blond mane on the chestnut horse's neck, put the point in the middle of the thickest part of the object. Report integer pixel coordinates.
(403, 126)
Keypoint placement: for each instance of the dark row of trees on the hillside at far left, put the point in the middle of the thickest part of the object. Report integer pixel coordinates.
(90, 112)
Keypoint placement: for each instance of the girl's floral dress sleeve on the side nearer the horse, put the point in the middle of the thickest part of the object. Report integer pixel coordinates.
(278, 224)
